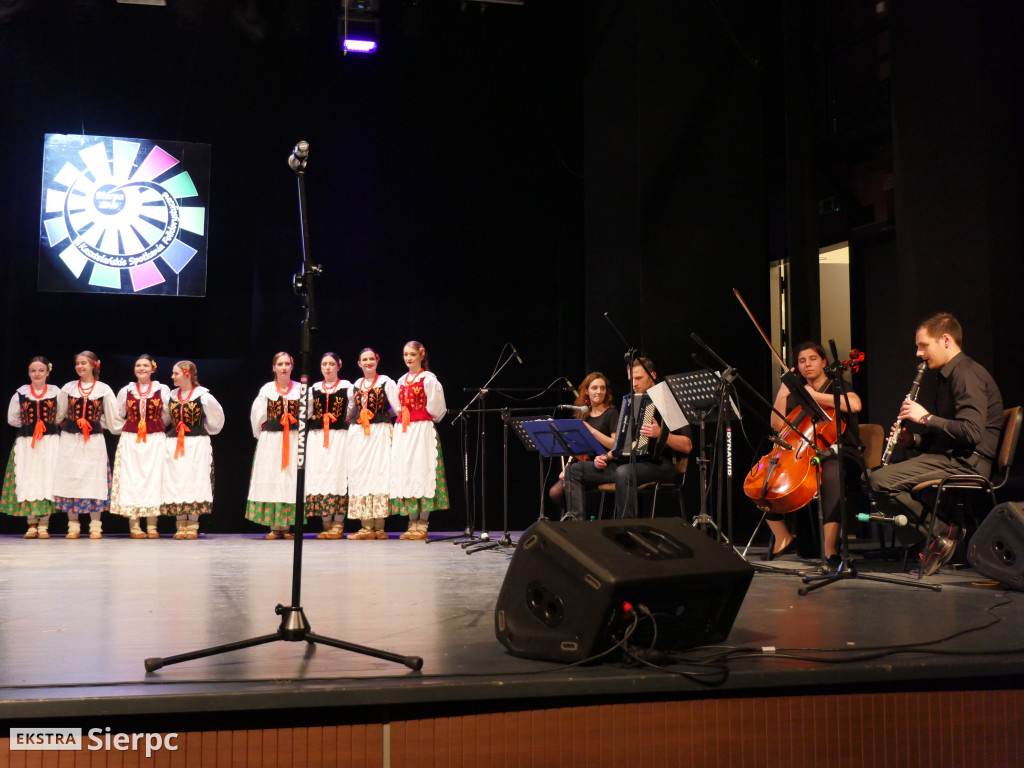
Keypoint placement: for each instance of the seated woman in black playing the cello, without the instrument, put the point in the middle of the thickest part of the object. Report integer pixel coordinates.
(812, 366)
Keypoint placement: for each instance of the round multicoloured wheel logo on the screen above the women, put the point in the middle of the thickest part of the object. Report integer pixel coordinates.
(107, 210)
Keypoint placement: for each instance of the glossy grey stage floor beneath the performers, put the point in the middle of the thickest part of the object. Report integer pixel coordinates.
(79, 618)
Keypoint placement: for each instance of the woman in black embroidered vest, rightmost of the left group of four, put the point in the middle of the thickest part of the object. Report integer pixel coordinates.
(188, 480)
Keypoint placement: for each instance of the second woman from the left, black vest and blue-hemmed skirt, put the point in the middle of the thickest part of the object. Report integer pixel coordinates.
(83, 483)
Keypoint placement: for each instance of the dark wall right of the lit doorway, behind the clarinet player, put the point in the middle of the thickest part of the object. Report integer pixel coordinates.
(958, 130)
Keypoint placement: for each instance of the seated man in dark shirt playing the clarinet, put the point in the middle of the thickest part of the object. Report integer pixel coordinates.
(961, 435)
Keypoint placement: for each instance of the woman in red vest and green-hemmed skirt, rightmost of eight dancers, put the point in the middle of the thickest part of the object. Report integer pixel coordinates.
(418, 485)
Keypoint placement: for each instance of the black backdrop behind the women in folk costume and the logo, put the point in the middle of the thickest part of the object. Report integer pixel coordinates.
(444, 186)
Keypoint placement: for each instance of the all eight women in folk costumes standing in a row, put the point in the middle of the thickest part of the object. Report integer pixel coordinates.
(359, 464)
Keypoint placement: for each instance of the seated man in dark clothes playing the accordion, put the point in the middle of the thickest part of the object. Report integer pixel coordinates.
(608, 468)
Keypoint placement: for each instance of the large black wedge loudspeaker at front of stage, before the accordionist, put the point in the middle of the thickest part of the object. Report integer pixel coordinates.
(564, 595)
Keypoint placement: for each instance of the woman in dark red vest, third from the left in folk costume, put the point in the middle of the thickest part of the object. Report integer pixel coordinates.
(139, 462)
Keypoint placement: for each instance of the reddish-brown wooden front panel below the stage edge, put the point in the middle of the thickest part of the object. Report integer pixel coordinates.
(926, 730)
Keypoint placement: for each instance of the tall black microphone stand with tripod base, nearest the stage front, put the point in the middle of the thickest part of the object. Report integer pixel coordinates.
(294, 626)
